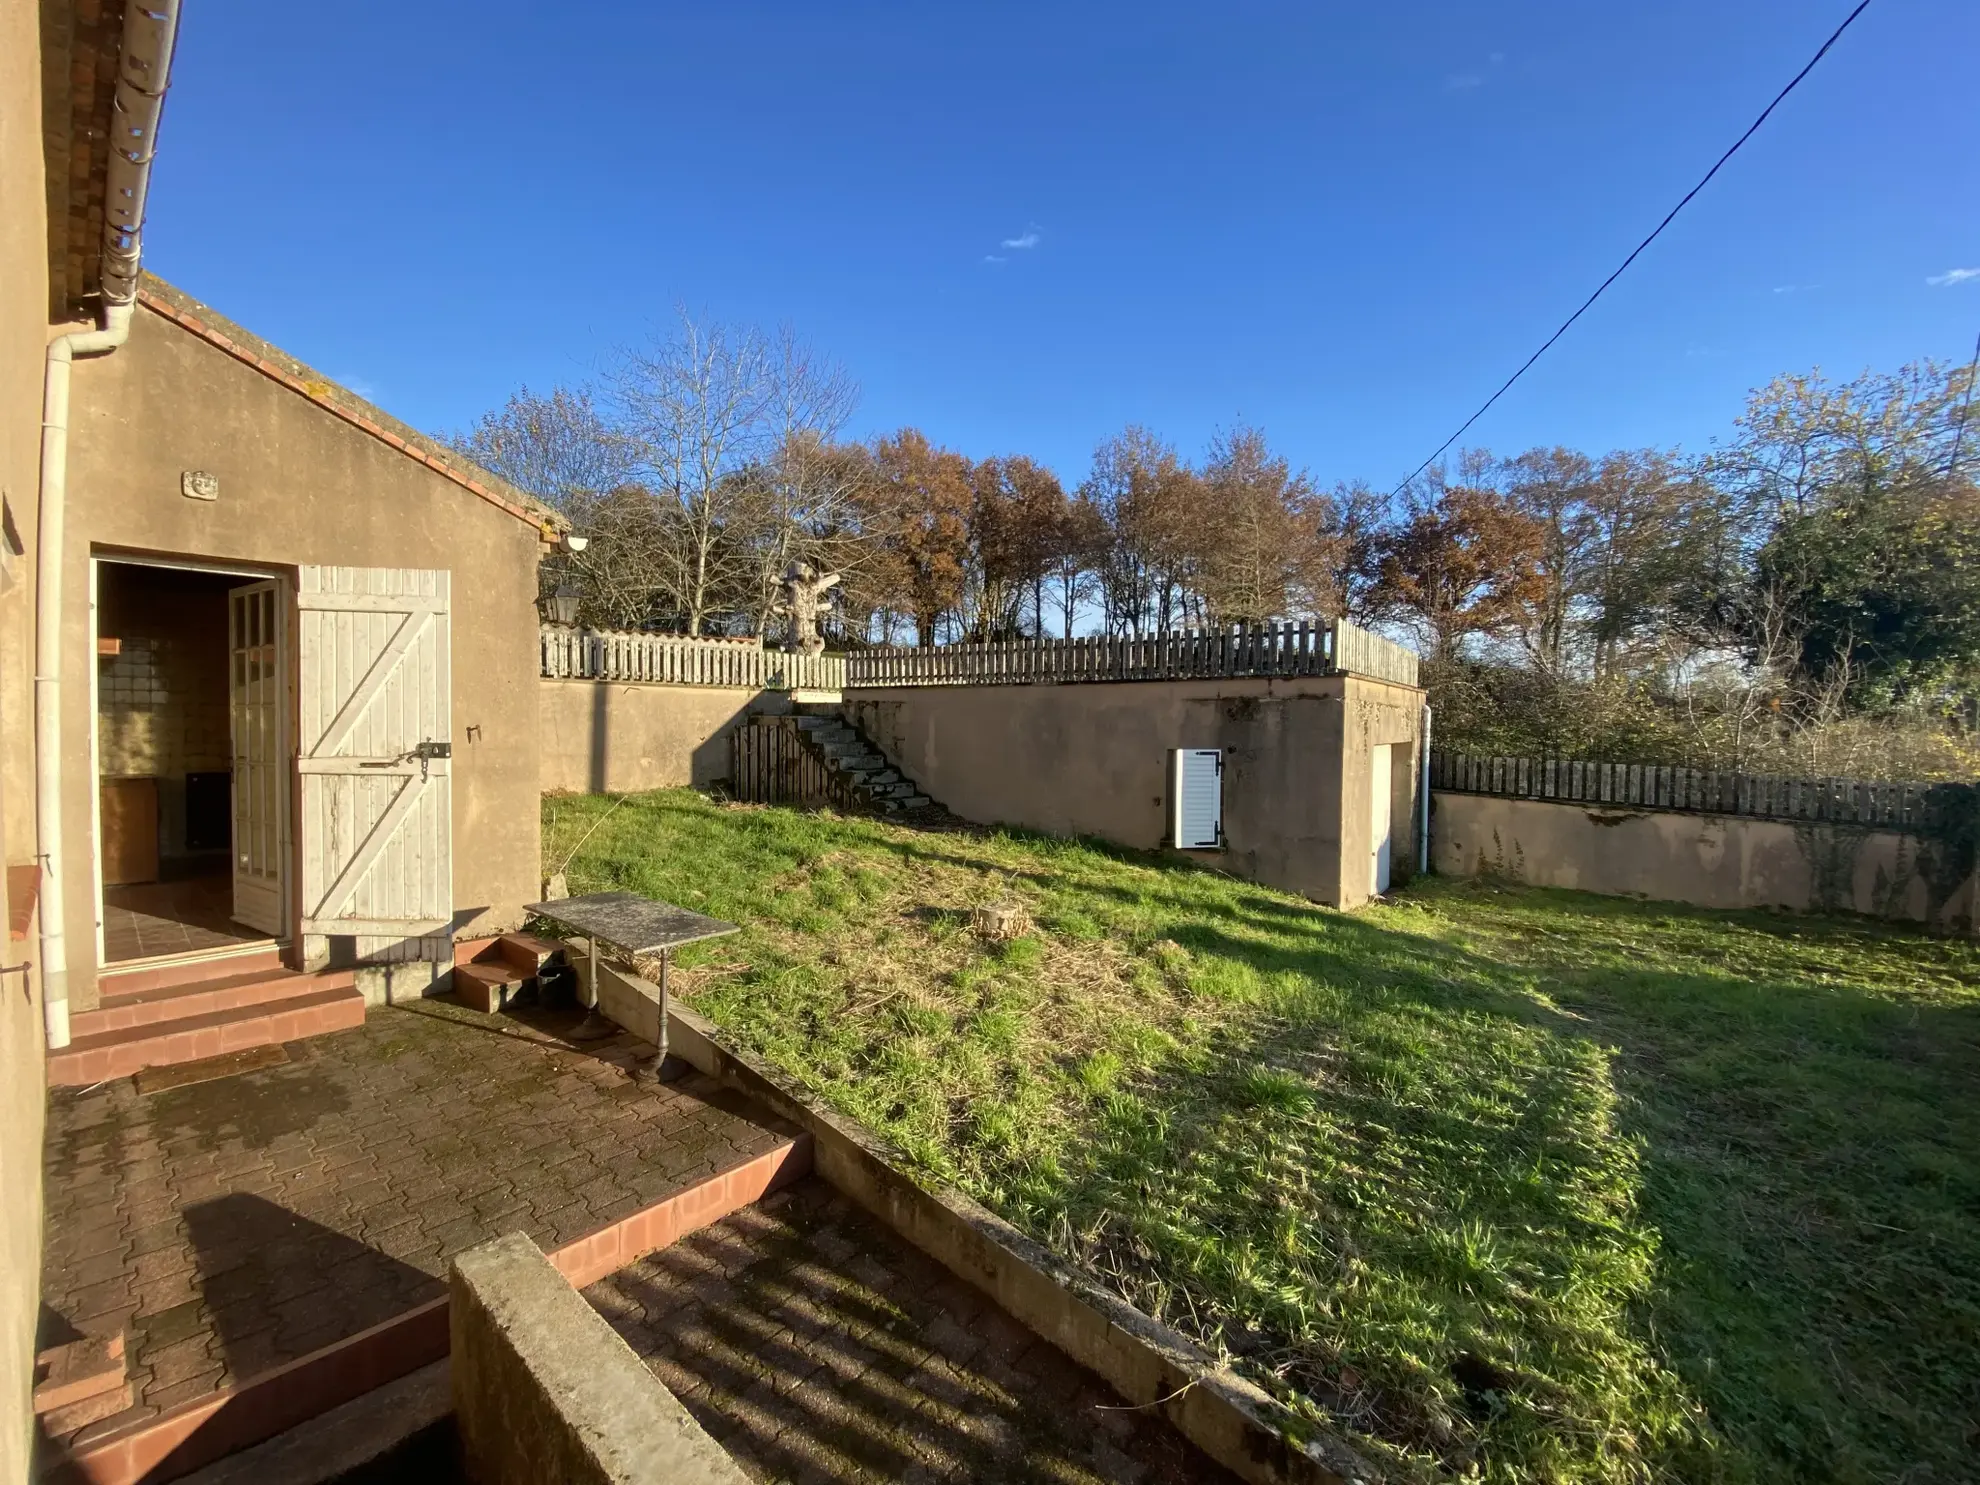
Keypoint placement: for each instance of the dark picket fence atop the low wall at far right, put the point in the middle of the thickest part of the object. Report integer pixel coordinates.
(1698, 791)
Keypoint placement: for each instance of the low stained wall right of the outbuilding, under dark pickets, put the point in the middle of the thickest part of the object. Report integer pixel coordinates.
(1696, 858)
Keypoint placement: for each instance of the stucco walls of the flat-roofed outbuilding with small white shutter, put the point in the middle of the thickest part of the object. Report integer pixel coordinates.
(1092, 759)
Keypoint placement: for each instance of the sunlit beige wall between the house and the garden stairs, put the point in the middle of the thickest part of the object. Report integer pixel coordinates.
(617, 738)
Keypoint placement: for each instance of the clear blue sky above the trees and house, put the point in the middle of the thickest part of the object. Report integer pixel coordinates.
(1025, 227)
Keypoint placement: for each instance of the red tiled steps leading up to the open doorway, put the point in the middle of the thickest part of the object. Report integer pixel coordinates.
(185, 1013)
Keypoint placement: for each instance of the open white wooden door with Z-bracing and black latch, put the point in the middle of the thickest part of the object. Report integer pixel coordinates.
(377, 823)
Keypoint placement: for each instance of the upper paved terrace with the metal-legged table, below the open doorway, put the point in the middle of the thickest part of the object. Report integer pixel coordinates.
(239, 1225)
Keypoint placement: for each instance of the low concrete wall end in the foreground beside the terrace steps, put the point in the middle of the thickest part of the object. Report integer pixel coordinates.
(544, 1389)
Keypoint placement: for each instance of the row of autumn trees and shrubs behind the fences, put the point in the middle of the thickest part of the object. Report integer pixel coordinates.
(1815, 575)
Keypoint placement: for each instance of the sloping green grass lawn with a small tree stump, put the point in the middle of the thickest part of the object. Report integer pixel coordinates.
(1512, 1183)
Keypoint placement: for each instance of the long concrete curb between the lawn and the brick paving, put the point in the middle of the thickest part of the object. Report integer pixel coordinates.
(1235, 1423)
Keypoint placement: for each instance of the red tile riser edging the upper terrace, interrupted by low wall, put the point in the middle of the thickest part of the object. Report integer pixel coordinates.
(205, 1431)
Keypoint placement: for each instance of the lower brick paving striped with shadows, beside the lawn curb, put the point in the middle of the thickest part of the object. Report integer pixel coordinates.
(817, 1345)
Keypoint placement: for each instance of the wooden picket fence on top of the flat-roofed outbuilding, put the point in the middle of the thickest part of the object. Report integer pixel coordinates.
(1201, 654)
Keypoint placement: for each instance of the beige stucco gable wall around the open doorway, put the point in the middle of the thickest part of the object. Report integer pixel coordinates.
(302, 482)
